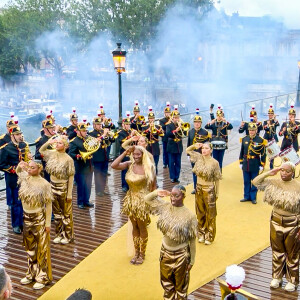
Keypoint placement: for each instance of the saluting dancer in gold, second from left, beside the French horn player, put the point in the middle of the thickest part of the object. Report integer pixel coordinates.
(61, 168)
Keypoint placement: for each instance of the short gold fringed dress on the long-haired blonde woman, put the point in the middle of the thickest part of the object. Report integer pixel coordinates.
(134, 205)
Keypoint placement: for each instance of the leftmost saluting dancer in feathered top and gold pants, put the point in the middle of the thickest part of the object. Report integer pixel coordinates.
(36, 196)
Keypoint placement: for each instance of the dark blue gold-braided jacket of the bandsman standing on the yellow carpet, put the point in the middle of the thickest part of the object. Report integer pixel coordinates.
(253, 153)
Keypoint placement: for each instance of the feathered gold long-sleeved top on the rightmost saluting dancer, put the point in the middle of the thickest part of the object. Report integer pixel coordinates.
(284, 195)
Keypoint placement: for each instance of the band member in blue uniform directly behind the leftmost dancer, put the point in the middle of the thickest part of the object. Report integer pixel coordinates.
(10, 156)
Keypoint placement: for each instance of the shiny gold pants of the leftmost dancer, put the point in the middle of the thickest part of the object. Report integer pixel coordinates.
(37, 245)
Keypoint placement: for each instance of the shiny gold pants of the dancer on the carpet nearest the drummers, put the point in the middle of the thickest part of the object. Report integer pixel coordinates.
(206, 211)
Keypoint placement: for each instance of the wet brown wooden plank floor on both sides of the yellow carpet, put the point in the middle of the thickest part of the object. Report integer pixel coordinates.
(94, 226)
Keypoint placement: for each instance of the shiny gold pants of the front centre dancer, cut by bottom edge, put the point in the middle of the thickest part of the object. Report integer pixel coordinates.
(174, 277)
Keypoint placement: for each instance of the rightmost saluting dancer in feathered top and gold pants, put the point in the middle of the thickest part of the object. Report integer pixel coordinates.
(284, 195)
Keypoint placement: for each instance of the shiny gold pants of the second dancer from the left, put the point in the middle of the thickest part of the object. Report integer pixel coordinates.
(63, 211)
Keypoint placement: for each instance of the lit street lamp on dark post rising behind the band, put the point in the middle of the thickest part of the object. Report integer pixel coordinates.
(119, 58)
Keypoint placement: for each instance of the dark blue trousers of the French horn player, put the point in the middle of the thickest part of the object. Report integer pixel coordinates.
(84, 186)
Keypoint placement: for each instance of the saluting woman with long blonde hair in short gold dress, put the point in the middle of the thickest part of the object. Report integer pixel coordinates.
(141, 180)
